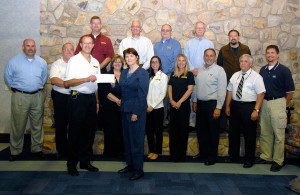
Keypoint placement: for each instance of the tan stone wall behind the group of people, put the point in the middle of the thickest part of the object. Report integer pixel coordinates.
(260, 23)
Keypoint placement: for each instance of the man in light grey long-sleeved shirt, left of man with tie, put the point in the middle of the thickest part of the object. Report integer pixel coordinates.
(210, 90)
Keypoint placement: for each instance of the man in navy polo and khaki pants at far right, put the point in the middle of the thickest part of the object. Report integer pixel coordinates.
(273, 119)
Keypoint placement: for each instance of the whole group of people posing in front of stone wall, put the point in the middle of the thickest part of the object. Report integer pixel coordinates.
(152, 85)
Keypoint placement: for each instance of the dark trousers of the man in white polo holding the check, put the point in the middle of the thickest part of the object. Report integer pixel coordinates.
(82, 128)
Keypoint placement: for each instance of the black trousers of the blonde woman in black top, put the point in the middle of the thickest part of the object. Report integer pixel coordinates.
(178, 133)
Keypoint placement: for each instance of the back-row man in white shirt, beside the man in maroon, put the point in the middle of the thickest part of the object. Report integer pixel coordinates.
(141, 44)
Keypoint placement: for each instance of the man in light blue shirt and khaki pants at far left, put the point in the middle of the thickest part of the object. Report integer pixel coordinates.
(26, 75)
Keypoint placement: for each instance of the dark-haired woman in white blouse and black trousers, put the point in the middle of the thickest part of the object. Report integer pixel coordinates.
(155, 111)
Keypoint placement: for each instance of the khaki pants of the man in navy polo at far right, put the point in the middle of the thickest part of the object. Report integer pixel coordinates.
(273, 121)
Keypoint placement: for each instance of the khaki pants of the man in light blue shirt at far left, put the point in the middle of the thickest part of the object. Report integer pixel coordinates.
(24, 106)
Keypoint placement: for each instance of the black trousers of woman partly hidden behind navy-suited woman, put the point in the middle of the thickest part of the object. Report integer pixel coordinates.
(113, 133)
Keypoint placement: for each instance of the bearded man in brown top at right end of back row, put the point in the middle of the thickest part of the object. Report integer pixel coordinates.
(228, 58)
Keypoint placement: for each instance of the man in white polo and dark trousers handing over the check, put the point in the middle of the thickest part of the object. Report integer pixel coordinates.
(83, 106)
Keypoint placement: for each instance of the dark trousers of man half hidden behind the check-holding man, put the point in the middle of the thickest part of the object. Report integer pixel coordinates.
(61, 118)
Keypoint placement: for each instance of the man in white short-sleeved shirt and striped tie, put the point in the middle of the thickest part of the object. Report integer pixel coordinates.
(245, 94)
